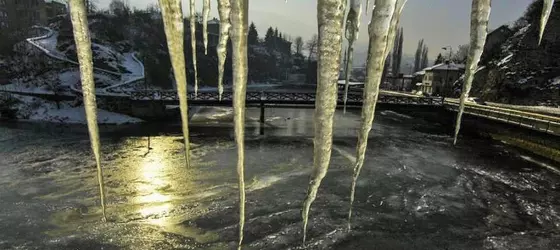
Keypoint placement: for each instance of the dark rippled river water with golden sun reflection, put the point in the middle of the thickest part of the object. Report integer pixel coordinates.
(416, 190)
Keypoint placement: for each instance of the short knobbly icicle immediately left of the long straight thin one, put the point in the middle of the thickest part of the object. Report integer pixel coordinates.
(224, 9)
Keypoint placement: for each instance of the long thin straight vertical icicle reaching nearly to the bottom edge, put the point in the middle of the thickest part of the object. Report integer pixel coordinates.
(240, 24)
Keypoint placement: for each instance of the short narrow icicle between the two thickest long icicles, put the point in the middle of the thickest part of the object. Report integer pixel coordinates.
(352, 30)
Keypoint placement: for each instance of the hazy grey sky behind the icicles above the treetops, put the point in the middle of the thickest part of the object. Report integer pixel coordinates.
(440, 22)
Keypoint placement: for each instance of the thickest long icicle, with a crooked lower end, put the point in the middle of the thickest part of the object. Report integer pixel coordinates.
(330, 16)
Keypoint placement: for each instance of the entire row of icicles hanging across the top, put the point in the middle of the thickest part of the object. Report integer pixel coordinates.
(234, 22)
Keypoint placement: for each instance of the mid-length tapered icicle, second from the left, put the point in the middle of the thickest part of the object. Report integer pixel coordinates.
(174, 31)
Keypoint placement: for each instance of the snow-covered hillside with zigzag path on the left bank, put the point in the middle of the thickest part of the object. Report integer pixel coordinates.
(40, 67)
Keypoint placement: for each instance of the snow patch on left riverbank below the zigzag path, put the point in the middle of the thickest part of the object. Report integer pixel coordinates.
(36, 109)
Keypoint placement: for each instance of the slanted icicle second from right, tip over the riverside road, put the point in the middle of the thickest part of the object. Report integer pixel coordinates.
(480, 14)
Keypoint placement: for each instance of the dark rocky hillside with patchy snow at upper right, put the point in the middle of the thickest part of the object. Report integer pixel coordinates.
(519, 70)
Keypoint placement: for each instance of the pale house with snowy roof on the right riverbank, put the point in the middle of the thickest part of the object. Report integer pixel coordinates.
(439, 79)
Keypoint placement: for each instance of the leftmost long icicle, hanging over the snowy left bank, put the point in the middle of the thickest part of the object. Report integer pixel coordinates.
(78, 15)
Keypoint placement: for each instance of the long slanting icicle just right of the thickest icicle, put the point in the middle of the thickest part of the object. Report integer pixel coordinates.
(382, 30)
